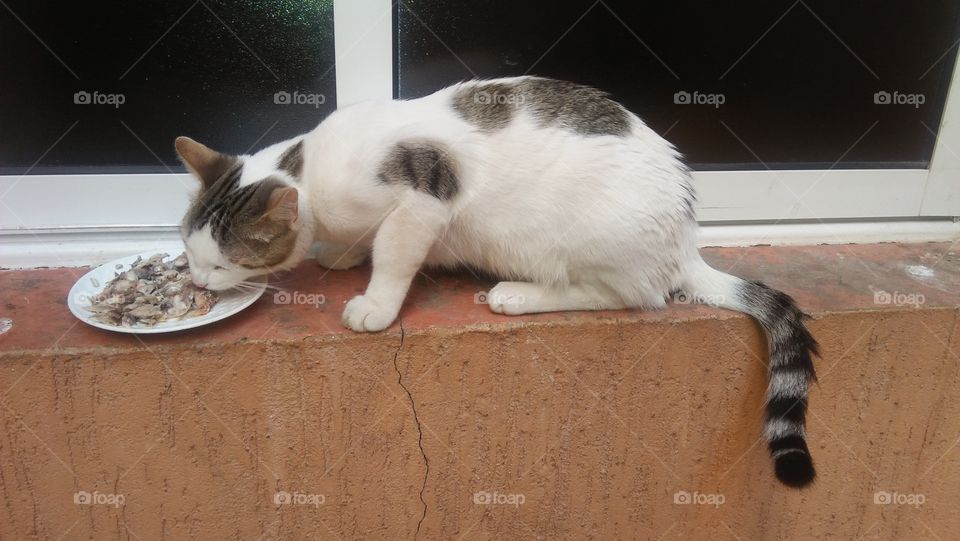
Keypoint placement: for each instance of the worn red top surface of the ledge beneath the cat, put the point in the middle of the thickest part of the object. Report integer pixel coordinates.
(823, 279)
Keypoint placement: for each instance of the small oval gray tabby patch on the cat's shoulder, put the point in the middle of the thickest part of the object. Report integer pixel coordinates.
(423, 165)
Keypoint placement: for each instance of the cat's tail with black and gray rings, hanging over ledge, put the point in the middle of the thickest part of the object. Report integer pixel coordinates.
(790, 368)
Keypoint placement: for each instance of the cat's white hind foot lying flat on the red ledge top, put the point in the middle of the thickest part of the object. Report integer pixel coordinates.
(514, 298)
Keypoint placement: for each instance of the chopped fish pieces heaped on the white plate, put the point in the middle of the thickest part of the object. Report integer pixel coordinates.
(150, 291)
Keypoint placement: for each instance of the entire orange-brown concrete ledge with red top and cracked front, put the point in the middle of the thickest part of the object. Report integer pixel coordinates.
(583, 424)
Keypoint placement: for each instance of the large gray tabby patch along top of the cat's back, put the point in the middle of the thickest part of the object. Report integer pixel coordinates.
(581, 109)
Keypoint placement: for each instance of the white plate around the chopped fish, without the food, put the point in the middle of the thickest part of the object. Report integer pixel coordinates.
(93, 282)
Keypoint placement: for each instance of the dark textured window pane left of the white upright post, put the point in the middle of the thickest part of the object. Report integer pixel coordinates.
(209, 70)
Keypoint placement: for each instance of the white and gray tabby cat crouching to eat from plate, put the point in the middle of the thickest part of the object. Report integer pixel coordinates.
(552, 186)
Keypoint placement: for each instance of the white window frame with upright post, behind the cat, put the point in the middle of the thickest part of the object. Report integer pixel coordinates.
(63, 220)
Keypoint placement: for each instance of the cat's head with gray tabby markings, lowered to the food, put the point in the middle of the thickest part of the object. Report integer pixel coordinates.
(237, 226)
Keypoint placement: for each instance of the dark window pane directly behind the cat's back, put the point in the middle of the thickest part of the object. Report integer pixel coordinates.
(798, 80)
